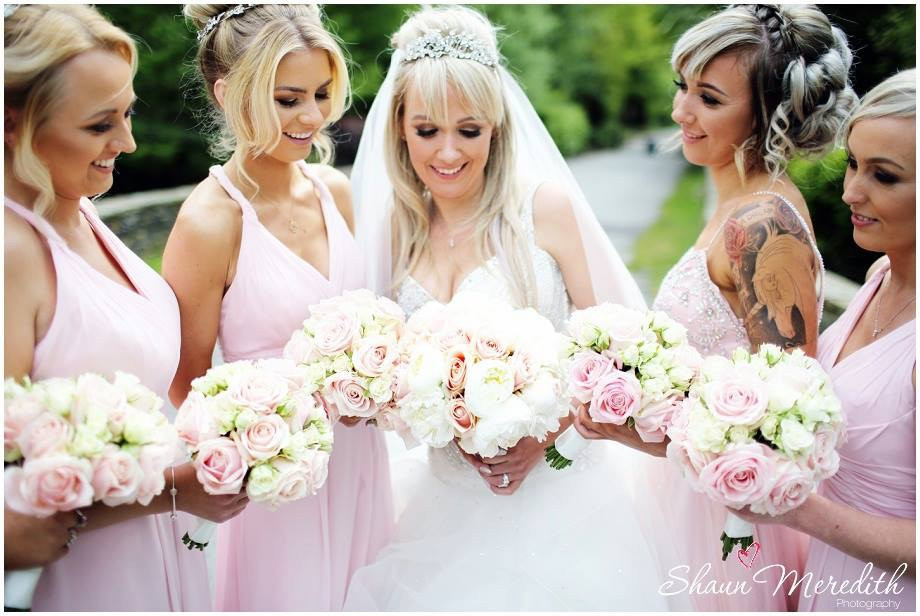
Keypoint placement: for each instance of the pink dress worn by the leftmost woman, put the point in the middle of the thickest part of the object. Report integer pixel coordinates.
(101, 326)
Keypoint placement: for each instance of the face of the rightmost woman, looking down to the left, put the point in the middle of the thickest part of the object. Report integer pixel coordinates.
(880, 184)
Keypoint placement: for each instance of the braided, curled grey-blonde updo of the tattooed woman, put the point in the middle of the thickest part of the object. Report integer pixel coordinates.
(799, 67)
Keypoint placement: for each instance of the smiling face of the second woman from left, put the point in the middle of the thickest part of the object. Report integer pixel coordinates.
(302, 101)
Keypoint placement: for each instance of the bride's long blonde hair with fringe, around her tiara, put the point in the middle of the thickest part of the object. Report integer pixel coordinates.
(479, 88)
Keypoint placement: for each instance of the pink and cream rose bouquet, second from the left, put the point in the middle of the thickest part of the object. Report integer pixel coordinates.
(255, 425)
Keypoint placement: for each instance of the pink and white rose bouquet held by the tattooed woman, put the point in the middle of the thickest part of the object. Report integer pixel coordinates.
(631, 367)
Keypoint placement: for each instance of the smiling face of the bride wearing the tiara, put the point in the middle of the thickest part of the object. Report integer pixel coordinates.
(449, 157)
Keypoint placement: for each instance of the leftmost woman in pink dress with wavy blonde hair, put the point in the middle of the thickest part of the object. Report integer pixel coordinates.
(78, 300)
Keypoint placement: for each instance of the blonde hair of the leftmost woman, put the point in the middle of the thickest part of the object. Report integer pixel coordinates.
(38, 40)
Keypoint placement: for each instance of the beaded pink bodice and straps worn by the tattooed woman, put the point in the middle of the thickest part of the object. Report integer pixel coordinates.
(688, 295)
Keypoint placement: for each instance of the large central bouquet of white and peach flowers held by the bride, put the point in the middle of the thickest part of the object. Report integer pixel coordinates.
(479, 371)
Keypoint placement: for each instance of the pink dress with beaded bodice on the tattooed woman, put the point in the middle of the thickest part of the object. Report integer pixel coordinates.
(689, 552)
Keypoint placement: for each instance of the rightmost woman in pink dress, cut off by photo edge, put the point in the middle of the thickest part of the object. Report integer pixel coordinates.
(863, 519)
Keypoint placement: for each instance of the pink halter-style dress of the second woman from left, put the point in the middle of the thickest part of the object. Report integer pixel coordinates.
(301, 556)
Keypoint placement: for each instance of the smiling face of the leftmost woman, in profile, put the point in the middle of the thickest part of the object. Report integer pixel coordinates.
(89, 125)
